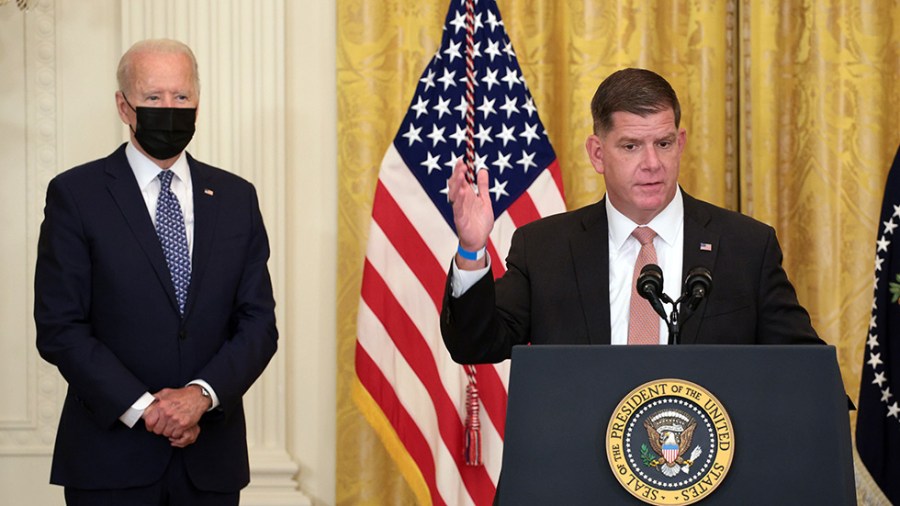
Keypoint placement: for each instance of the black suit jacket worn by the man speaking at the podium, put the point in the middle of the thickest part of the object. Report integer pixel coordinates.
(555, 290)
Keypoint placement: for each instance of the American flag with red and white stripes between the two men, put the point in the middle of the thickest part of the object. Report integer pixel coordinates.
(414, 394)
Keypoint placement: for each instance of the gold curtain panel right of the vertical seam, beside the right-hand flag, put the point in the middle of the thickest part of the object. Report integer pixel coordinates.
(820, 116)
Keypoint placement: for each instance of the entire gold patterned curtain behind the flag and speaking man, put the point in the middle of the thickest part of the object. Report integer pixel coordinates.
(791, 109)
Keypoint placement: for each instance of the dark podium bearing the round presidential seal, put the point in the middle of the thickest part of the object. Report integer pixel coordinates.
(789, 434)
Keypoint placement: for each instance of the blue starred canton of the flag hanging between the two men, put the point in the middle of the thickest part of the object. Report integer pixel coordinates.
(510, 140)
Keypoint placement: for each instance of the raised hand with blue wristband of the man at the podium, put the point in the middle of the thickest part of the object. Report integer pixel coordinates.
(473, 213)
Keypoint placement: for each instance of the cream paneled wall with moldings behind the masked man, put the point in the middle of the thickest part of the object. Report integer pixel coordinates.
(267, 113)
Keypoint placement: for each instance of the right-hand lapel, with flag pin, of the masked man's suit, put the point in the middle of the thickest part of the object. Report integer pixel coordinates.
(205, 213)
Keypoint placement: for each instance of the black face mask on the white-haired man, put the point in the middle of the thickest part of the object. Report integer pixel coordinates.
(164, 132)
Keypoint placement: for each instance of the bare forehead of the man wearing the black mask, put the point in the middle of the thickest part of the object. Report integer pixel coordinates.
(155, 71)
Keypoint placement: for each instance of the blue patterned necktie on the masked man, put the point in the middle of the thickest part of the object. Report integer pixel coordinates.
(171, 232)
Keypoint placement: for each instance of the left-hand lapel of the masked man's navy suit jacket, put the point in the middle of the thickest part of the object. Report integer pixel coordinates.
(125, 192)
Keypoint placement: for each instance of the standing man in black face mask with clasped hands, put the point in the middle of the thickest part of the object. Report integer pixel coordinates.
(153, 299)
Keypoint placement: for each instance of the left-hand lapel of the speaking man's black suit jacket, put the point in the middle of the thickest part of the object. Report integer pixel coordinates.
(590, 257)
